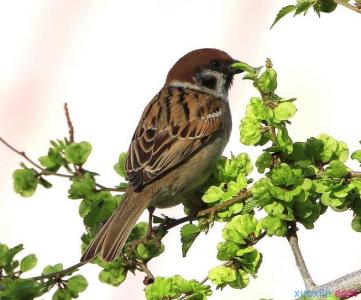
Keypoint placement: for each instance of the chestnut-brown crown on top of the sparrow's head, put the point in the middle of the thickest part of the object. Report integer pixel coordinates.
(185, 68)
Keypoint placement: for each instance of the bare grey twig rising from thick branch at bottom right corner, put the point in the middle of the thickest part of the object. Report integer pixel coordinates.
(293, 241)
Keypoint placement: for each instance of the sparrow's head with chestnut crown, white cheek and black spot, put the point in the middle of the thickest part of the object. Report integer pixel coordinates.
(209, 70)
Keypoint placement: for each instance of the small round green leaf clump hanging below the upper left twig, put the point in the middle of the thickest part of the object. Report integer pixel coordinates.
(25, 182)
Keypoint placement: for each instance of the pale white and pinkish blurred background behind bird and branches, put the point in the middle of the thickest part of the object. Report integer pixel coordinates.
(107, 59)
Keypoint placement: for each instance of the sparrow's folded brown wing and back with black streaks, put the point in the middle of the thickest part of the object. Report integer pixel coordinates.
(173, 127)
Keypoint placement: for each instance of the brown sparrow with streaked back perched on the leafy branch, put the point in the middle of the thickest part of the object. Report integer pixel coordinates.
(180, 137)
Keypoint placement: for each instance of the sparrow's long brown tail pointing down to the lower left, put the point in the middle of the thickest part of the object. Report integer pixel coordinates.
(112, 236)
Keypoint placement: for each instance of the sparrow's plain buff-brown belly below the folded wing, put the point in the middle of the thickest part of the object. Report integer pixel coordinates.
(188, 176)
